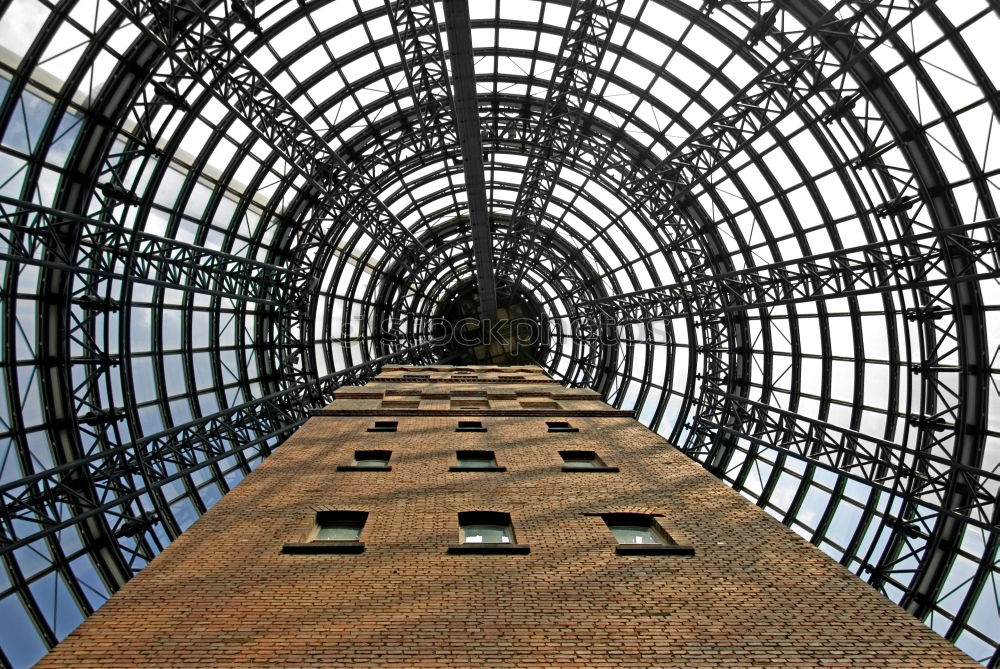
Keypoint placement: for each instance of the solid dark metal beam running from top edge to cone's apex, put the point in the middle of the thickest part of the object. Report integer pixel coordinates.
(463, 80)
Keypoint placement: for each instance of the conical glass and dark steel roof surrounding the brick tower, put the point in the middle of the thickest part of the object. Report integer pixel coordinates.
(768, 227)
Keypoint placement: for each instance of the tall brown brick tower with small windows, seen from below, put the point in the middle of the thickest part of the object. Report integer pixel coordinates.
(489, 517)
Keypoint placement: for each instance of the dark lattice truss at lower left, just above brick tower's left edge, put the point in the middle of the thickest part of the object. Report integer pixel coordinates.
(36, 506)
